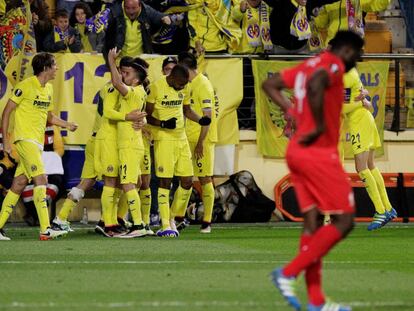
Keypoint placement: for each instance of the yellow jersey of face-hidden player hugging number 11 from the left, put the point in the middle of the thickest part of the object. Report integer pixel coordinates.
(111, 115)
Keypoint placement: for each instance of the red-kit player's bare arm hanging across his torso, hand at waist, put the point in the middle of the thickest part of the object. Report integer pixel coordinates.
(315, 89)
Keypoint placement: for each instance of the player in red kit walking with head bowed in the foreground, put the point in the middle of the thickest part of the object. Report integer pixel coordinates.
(320, 182)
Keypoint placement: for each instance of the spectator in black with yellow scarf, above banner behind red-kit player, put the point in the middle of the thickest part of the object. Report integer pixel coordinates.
(290, 26)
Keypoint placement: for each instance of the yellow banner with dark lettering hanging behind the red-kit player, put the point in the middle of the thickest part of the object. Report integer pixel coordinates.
(270, 123)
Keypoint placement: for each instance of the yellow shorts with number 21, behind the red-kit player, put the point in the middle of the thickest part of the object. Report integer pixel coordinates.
(363, 131)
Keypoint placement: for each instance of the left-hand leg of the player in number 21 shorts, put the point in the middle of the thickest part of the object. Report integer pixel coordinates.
(361, 165)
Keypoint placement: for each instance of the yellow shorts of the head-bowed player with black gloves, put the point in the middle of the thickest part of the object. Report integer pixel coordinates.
(172, 158)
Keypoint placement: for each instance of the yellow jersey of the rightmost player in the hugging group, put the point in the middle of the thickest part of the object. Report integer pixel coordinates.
(202, 97)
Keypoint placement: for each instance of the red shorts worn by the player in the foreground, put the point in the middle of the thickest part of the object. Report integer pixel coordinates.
(319, 180)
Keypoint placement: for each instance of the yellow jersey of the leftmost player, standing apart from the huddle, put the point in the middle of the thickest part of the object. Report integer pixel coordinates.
(33, 104)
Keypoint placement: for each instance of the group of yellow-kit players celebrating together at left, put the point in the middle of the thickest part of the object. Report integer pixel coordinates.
(176, 114)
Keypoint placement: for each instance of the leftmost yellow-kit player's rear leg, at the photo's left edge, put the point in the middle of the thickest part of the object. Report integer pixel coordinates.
(19, 183)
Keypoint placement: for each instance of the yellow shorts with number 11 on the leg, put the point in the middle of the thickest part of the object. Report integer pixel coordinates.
(129, 165)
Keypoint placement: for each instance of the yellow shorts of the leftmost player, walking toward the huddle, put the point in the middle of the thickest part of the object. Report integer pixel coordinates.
(30, 159)
